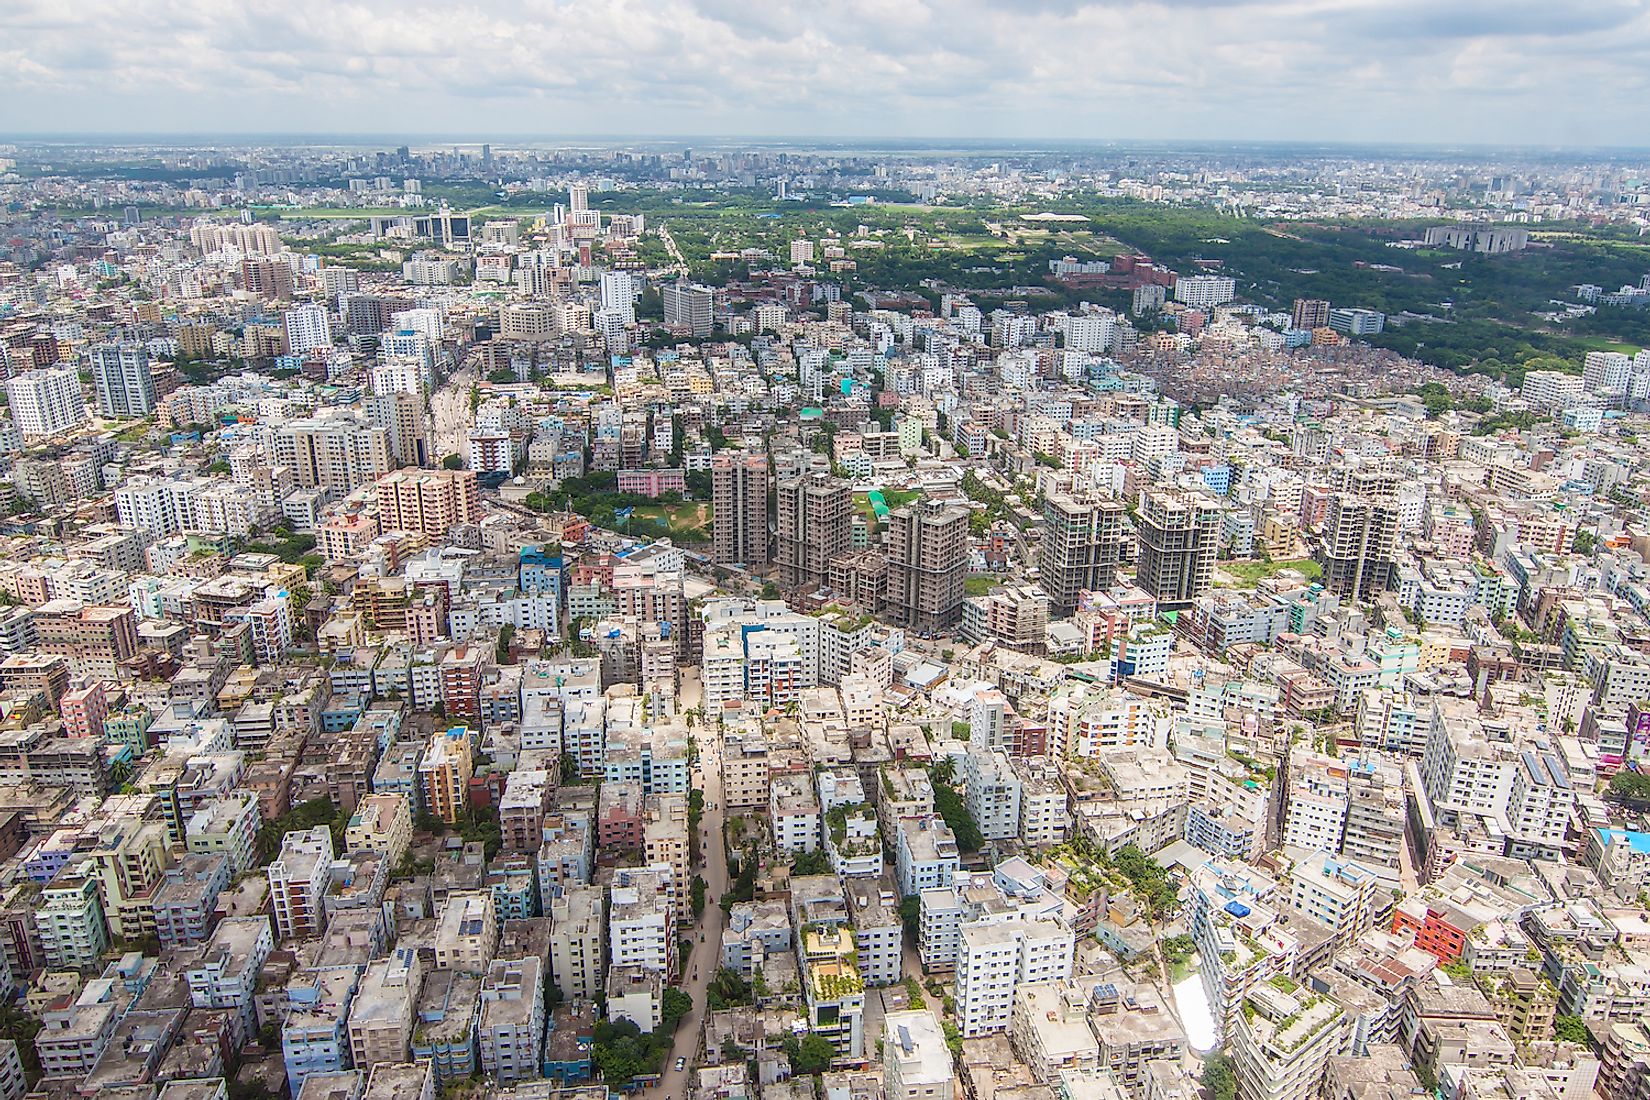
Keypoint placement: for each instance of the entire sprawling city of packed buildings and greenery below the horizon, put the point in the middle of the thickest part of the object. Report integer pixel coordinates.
(775, 623)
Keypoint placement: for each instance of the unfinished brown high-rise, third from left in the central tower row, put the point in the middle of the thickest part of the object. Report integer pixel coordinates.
(928, 562)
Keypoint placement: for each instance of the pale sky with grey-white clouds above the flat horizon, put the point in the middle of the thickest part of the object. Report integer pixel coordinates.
(1417, 72)
